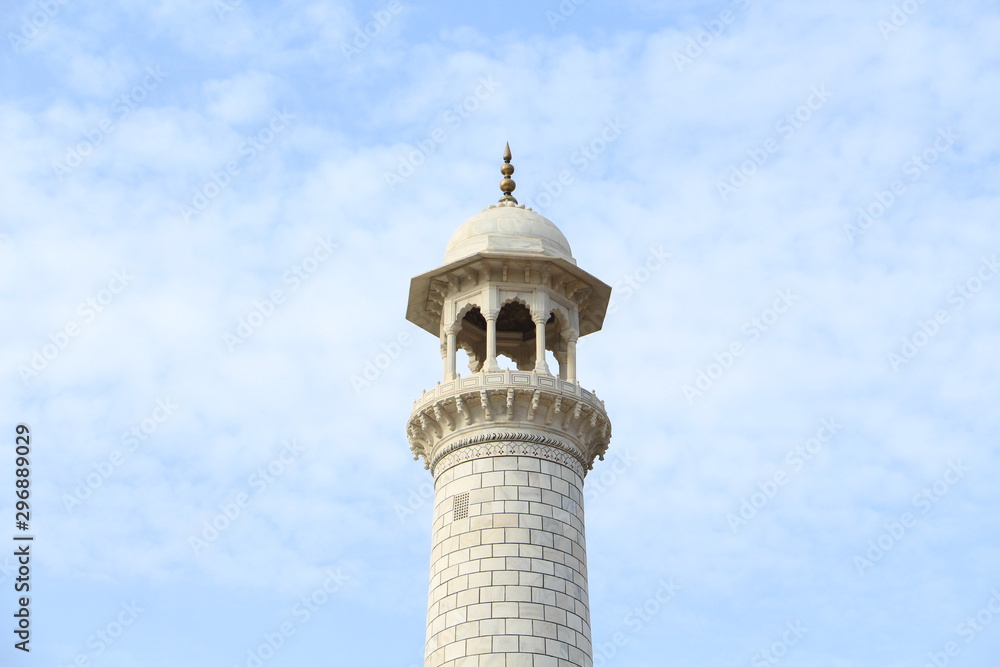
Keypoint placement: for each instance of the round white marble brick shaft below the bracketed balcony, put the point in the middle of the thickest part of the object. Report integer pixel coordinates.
(508, 562)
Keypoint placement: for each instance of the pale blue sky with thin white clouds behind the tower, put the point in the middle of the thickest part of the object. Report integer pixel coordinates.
(211, 213)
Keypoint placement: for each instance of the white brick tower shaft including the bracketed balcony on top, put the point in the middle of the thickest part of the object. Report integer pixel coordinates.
(508, 575)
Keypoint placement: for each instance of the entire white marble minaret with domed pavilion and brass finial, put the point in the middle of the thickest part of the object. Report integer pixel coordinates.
(508, 449)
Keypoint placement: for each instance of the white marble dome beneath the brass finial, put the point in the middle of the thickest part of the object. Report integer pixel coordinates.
(508, 228)
